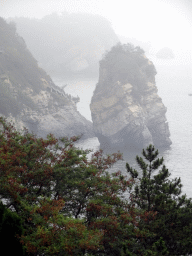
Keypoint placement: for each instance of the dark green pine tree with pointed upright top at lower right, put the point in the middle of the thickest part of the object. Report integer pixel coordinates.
(155, 192)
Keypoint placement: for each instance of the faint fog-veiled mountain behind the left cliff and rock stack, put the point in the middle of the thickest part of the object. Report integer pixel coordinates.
(67, 44)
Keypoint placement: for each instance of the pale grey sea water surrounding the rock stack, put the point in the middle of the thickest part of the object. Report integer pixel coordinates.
(174, 83)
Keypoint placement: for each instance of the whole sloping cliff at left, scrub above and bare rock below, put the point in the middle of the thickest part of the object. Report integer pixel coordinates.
(29, 97)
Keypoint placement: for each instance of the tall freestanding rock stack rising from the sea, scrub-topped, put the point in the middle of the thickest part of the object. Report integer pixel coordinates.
(126, 109)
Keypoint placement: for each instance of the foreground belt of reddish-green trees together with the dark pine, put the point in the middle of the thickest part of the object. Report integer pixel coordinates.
(69, 205)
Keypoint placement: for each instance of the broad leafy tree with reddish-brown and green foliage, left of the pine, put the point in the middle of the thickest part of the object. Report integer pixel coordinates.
(68, 205)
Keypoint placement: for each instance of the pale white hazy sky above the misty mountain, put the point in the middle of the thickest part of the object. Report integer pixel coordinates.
(162, 22)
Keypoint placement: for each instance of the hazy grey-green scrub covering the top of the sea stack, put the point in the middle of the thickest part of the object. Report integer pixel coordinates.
(128, 64)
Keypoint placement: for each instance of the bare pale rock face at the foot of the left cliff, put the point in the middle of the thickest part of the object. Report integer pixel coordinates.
(60, 118)
